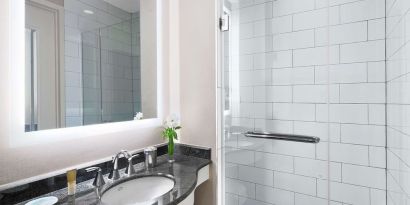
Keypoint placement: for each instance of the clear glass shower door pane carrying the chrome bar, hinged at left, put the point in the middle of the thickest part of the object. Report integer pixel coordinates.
(275, 59)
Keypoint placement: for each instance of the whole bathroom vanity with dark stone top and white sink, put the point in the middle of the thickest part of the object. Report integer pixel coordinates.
(148, 186)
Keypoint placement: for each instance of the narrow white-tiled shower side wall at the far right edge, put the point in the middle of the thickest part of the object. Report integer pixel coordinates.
(398, 102)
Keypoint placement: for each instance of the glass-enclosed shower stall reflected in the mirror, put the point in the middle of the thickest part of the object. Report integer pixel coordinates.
(111, 72)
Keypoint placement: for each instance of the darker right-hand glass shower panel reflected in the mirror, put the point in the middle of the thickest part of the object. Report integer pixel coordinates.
(117, 78)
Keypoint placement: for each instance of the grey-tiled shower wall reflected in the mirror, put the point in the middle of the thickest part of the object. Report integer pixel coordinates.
(119, 63)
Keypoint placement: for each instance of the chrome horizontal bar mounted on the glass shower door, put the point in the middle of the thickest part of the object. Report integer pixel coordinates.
(281, 136)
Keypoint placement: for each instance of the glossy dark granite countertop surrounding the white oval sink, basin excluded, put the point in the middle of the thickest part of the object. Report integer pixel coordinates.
(184, 170)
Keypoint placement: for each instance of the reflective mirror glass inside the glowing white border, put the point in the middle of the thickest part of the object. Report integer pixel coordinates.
(84, 62)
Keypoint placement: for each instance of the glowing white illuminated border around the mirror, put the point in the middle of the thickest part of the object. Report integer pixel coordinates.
(17, 136)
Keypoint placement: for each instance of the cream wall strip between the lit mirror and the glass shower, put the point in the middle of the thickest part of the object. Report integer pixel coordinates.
(197, 82)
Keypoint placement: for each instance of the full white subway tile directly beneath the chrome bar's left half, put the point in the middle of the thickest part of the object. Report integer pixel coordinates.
(274, 162)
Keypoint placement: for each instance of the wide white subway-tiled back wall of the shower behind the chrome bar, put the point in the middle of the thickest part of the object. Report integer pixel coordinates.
(278, 81)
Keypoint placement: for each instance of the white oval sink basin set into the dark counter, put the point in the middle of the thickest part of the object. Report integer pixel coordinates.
(139, 191)
